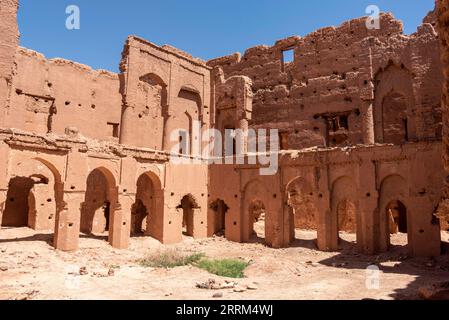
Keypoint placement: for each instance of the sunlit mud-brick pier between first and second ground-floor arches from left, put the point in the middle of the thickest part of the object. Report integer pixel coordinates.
(68, 220)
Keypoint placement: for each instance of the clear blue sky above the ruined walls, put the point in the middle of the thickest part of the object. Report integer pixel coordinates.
(204, 28)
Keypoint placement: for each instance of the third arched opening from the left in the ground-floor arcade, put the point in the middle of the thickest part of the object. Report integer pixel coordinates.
(147, 211)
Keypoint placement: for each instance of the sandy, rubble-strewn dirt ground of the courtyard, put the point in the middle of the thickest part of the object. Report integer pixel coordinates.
(31, 269)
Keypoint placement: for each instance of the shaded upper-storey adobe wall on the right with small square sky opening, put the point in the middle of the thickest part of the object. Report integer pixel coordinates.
(323, 97)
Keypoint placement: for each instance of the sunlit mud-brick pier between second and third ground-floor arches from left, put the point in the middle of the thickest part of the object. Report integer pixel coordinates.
(120, 223)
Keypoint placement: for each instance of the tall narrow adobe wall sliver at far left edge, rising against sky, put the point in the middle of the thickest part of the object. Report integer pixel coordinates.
(8, 44)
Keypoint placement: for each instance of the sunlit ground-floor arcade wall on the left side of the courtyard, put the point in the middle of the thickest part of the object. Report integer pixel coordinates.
(72, 179)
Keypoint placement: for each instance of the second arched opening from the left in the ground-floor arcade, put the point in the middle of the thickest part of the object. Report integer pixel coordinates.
(99, 203)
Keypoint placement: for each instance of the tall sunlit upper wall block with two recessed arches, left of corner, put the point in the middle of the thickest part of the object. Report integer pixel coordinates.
(164, 90)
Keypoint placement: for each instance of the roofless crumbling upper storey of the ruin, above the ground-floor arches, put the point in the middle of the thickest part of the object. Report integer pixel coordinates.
(346, 85)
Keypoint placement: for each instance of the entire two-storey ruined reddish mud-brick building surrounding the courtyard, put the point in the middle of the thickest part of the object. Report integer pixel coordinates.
(360, 122)
